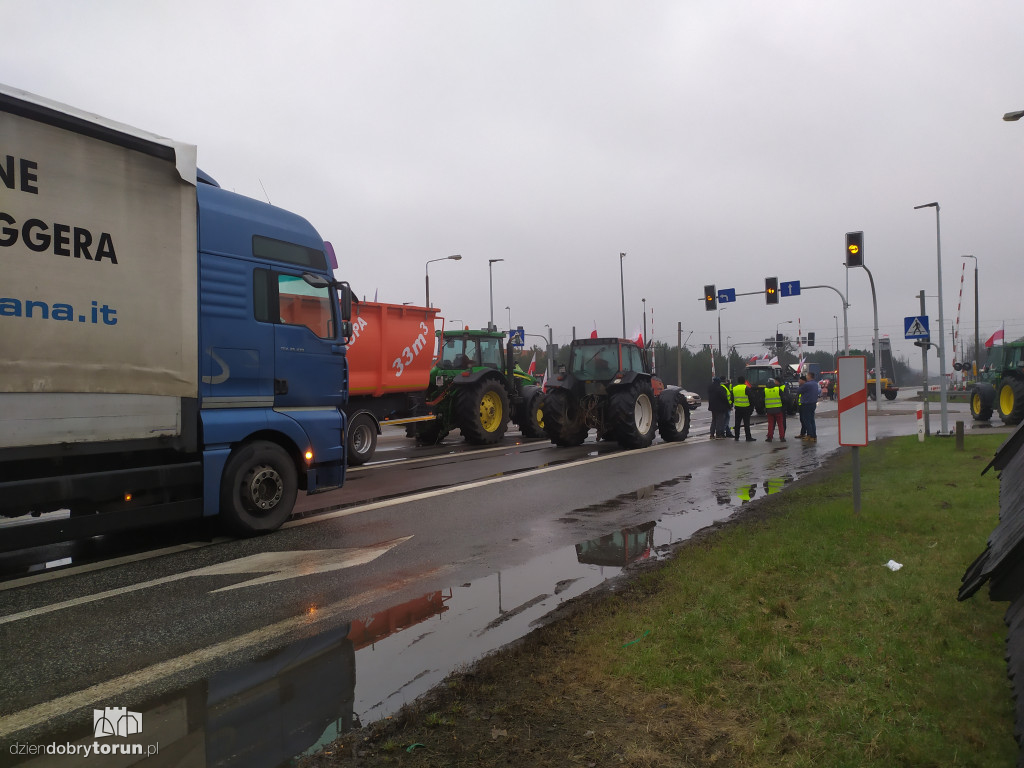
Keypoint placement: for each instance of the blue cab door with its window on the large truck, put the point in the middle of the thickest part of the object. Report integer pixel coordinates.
(310, 362)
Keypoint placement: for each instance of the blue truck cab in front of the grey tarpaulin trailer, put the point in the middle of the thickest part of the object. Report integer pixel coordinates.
(273, 369)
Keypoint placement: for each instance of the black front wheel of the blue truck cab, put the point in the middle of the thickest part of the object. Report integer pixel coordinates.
(259, 489)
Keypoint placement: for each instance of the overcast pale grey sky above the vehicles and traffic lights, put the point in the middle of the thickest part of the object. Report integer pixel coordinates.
(713, 143)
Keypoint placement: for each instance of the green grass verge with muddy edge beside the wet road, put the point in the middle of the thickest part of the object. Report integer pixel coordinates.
(779, 641)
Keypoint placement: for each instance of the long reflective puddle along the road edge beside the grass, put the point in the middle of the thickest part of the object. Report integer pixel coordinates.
(300, 699)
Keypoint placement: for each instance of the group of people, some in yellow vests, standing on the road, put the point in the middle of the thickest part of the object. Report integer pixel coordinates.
(724, 397)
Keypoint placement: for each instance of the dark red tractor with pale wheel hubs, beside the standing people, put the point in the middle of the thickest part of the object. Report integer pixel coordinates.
(609, 387)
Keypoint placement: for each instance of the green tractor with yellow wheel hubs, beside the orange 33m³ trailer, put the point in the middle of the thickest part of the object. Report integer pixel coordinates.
(476, 388)
